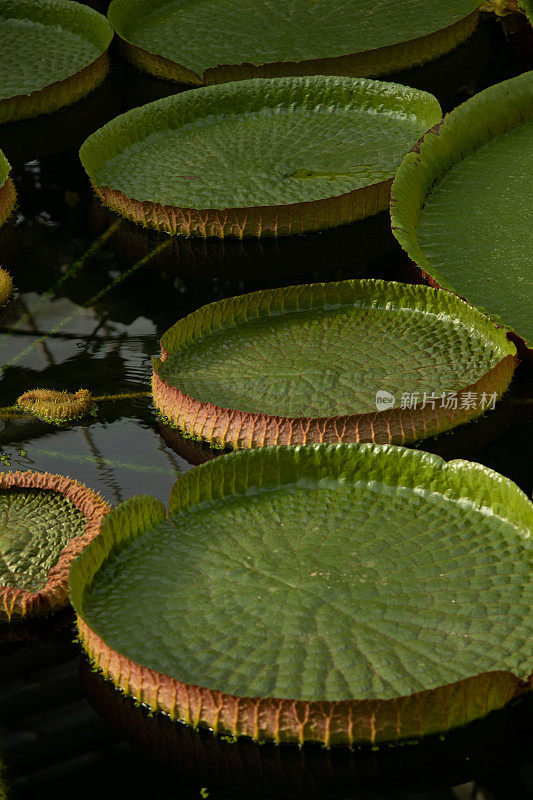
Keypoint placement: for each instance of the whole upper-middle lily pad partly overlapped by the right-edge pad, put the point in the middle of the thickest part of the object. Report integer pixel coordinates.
(258, 157)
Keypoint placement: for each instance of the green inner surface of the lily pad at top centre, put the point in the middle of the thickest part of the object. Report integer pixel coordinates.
(201, 34)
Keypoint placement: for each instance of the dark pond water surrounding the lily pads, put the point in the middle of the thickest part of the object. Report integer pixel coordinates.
(95, 295)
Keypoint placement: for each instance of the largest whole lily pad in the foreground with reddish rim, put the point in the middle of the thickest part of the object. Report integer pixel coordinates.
(337, 593)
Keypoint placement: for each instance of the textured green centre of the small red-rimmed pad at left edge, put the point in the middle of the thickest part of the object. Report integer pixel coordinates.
(35, 526)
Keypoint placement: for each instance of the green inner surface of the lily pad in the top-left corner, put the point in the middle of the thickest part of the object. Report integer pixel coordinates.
(45, 41)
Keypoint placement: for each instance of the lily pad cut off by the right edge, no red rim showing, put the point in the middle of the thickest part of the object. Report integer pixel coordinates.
(462, 203)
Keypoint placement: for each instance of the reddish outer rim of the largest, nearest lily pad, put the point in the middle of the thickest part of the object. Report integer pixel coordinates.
(345, 722)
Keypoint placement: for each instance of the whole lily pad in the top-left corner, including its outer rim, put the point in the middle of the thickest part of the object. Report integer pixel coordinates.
(53, 53)
